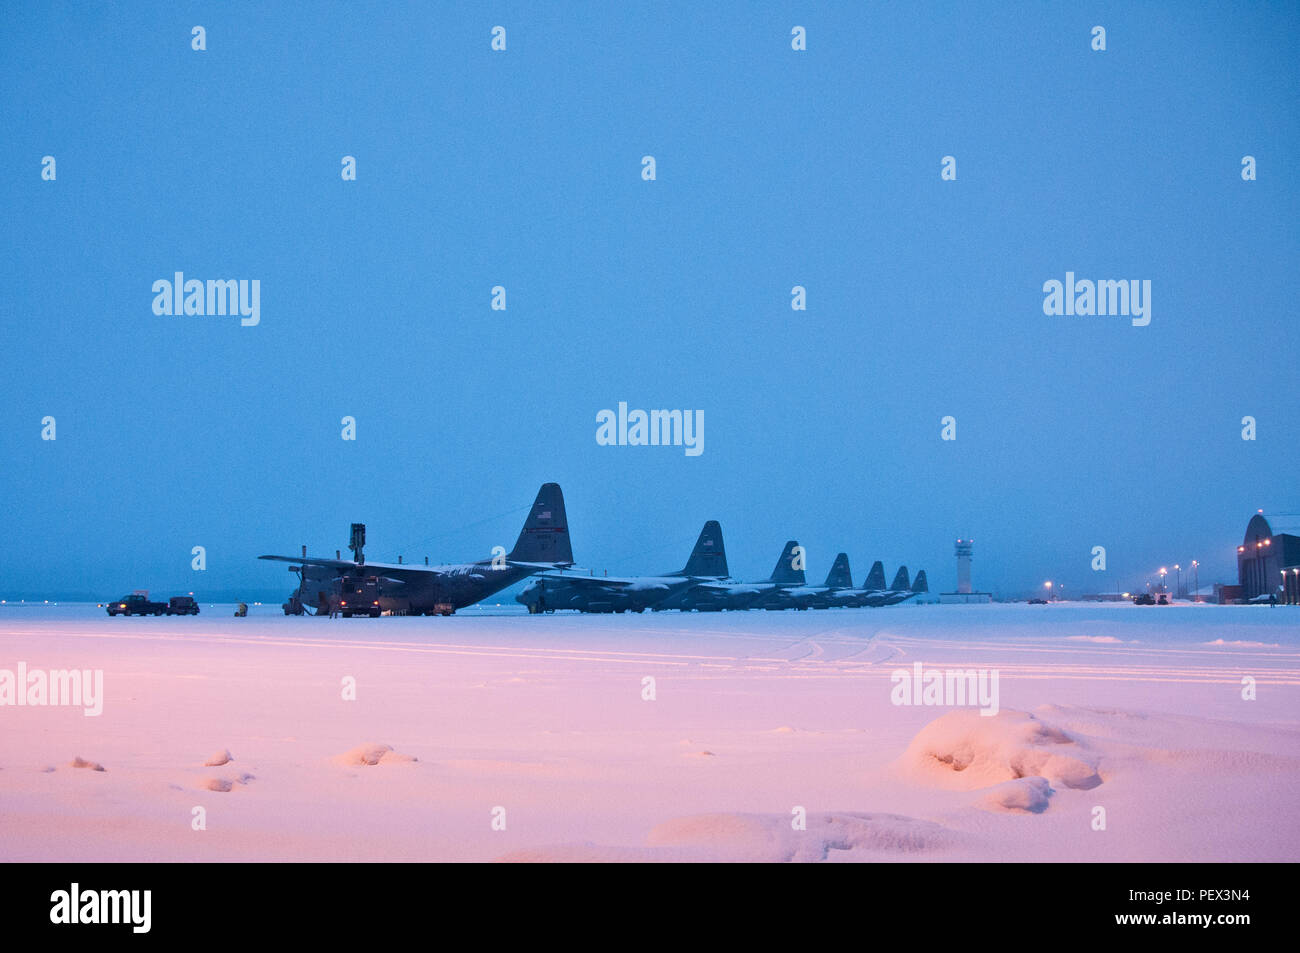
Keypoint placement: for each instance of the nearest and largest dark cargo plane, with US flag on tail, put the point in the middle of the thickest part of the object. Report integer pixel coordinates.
(362, 588)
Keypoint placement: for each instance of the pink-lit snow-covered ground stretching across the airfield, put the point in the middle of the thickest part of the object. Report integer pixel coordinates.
(541, 725)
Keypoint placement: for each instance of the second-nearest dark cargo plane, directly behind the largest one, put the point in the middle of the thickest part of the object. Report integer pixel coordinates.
(552, 591)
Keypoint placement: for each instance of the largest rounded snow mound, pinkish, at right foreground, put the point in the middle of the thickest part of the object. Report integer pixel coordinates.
(965, 751)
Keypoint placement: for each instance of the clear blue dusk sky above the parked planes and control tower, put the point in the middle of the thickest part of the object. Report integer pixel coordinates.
(774, 168)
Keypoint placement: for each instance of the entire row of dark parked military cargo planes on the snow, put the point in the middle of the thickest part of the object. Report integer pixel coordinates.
(354, 587)
